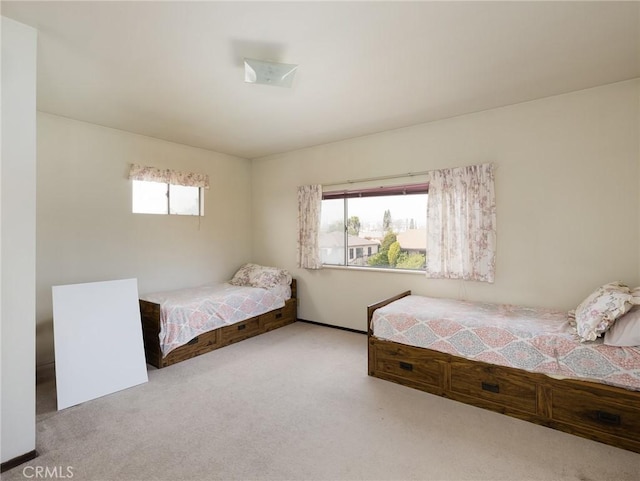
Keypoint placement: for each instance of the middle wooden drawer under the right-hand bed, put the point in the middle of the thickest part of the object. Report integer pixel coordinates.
(491, 383)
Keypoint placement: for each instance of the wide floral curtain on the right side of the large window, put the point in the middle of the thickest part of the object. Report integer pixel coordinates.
(461, 224)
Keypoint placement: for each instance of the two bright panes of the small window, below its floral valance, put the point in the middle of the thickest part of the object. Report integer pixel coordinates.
(161, 198)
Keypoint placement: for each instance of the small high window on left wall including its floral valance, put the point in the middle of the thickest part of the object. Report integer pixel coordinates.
(157, 191)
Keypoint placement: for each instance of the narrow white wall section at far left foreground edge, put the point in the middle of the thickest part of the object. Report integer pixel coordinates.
(18, 240)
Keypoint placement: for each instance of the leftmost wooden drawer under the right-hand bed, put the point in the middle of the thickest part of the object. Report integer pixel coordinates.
(407, 363)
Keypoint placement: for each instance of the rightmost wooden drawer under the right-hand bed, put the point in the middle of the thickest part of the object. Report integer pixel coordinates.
(601, 411)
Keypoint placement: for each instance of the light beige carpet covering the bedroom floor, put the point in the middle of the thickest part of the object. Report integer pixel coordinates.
(297, 404)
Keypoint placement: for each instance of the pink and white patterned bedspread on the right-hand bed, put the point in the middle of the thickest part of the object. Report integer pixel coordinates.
(536, 340)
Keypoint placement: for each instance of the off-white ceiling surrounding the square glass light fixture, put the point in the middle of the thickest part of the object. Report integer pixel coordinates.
(173, 70)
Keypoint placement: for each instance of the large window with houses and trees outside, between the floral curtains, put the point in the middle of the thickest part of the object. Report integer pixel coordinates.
(382, 227)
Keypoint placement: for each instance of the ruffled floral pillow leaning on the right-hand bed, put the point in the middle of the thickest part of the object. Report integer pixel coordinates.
(599, 311)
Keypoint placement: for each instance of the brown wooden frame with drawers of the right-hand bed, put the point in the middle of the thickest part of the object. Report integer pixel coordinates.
(594, 411)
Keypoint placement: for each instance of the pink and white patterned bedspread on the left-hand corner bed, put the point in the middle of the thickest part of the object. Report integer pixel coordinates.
(187, 313)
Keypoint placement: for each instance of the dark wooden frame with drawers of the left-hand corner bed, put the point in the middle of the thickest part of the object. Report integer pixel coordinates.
(215, 339)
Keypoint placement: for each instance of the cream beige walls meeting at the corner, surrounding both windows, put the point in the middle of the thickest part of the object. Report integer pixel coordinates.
(567, 191)
